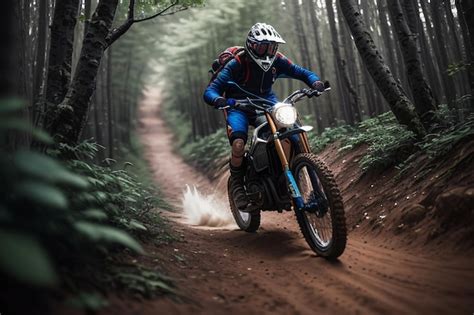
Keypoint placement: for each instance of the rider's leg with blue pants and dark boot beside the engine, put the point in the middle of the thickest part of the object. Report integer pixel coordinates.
(237, 126)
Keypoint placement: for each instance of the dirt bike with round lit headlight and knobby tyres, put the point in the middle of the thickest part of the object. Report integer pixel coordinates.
(300, 182)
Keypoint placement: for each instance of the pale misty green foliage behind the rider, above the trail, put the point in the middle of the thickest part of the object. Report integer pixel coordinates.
(187, 49)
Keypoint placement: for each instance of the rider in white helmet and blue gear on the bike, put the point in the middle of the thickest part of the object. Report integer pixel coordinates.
(256, 71)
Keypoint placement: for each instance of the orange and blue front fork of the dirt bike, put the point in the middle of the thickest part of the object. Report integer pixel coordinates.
(298, 201)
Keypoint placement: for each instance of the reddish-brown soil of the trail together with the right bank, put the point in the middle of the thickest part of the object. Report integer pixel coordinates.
(273, 271)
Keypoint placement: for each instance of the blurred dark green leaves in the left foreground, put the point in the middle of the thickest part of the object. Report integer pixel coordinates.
(63, 219)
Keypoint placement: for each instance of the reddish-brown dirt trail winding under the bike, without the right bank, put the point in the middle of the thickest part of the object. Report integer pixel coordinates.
(223, 270)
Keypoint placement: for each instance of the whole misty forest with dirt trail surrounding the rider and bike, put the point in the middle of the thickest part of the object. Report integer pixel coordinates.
(103, 126)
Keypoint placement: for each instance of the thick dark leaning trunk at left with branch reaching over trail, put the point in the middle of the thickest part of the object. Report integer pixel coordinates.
(71, 115)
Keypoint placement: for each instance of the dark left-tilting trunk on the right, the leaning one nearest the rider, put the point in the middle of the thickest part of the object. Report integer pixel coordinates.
(398, 102)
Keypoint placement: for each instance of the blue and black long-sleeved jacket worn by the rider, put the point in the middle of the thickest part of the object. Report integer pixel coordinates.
(253, 79)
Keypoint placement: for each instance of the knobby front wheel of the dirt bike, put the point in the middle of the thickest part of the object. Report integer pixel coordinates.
(324, 225)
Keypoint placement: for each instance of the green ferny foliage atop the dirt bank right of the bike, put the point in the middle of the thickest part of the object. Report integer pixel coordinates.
(389, 143)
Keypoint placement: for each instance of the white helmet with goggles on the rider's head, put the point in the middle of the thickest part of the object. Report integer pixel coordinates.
(262, 44)
